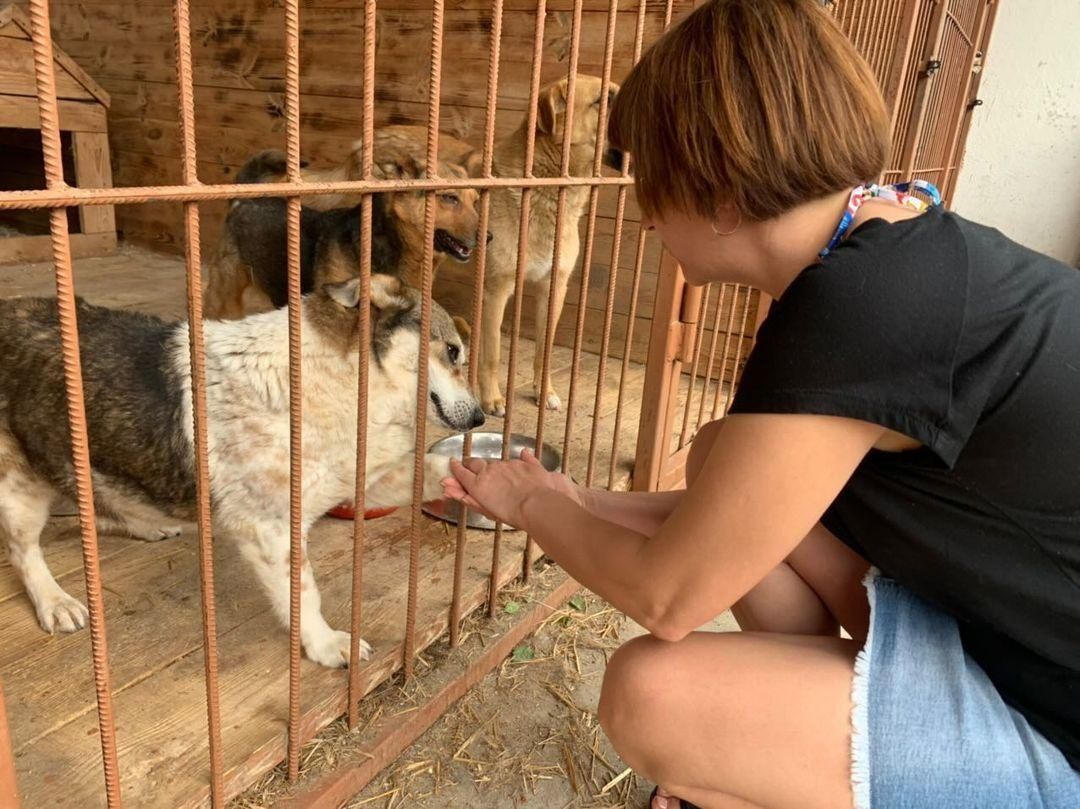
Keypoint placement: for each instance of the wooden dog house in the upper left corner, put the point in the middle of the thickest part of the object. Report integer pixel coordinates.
(24, 235)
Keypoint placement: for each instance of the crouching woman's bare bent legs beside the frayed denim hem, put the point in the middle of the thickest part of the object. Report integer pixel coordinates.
(755, 719)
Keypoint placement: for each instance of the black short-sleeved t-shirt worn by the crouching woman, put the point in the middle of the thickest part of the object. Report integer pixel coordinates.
(954, 335)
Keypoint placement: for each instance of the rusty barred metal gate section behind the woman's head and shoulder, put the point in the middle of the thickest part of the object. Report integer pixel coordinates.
(927, 57)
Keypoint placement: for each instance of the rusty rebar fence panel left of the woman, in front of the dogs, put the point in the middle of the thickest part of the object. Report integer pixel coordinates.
(58, 197)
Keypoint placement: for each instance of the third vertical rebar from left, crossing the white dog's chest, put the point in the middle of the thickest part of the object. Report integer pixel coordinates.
(296, 556)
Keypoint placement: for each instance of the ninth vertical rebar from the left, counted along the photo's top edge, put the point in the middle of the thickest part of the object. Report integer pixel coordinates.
(587, 258)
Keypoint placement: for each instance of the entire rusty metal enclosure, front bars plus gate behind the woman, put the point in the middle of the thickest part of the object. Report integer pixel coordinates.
(923, 52)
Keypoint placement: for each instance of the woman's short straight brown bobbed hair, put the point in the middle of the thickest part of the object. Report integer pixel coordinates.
(759, 104)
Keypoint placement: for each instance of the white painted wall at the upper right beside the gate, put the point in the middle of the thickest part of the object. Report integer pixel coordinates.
(1021, 171)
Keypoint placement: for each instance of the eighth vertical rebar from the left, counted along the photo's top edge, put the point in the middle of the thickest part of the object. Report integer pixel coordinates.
(553, 278)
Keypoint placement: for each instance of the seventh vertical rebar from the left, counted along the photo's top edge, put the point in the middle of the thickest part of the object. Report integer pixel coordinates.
(523, 241)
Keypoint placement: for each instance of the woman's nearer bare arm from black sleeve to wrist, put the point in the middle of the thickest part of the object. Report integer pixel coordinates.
(760, 492)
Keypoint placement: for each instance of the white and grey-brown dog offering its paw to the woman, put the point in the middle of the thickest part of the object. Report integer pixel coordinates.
(138, 383)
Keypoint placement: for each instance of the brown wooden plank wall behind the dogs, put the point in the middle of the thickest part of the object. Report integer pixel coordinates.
(128, 47)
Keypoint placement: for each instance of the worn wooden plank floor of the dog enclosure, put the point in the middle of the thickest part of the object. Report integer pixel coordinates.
(153, 605)
